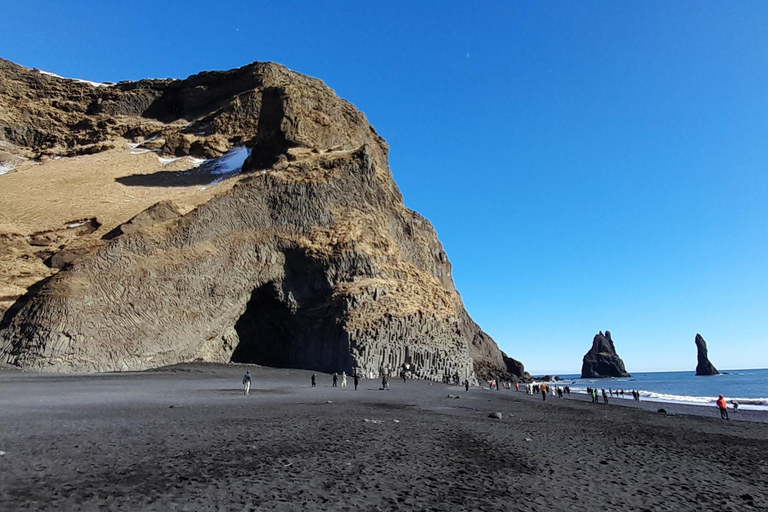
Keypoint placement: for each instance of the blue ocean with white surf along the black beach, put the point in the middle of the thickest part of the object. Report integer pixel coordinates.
(748, 387)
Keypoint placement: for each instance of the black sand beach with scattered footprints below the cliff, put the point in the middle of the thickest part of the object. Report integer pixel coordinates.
(188, 439)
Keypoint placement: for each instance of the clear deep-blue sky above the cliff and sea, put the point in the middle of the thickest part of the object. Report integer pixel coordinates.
(587, 166)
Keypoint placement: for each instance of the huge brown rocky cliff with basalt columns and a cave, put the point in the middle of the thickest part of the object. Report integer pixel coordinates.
(308, 259)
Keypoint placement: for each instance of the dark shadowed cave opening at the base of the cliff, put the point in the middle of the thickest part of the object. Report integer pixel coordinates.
(293, 323)
